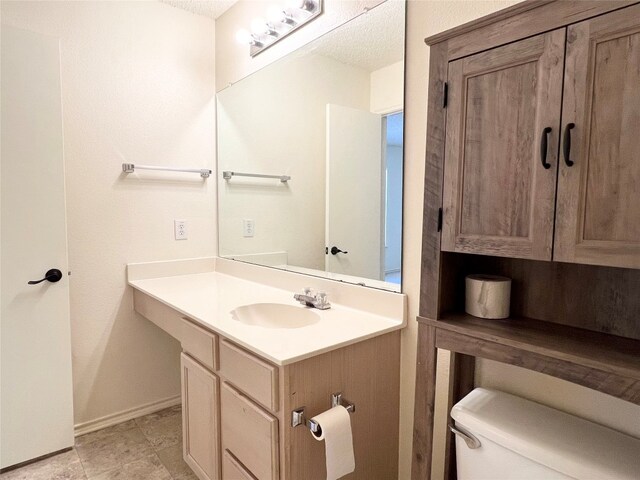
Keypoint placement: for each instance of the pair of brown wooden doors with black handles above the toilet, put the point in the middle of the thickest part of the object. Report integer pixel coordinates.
(514, 127)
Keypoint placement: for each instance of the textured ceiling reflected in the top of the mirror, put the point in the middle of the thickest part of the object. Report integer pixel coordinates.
(371, 41)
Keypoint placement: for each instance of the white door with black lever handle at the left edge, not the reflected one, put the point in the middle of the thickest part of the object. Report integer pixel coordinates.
(36, 411)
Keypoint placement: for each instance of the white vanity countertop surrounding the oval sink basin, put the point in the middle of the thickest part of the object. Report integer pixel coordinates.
(209, 298)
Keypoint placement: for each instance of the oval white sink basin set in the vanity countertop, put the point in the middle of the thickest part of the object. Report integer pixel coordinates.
(275, 315)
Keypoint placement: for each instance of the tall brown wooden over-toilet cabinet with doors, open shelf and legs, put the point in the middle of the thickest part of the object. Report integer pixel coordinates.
(532, 171)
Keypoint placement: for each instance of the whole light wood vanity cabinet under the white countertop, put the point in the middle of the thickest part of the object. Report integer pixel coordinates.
(237, 407)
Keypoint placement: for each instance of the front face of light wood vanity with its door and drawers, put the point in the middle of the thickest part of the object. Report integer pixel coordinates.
(226, 415)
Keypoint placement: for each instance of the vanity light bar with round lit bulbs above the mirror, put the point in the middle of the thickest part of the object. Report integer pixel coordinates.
(281, 21)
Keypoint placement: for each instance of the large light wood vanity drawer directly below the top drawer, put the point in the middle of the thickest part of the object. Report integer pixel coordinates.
(249, 433)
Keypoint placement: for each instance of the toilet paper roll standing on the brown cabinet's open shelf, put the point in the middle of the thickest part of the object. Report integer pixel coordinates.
(487, 296)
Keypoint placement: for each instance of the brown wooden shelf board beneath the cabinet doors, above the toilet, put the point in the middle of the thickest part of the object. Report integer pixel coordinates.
(596, 360)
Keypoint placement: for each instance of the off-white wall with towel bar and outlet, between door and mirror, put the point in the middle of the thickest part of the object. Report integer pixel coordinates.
(137, 86)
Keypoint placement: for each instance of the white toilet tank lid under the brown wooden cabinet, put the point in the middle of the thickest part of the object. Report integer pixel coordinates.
(565, 443)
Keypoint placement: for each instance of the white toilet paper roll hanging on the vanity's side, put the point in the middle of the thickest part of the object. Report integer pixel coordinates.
(335, 430)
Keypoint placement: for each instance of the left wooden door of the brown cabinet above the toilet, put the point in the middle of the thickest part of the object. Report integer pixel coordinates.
(502, 136)
